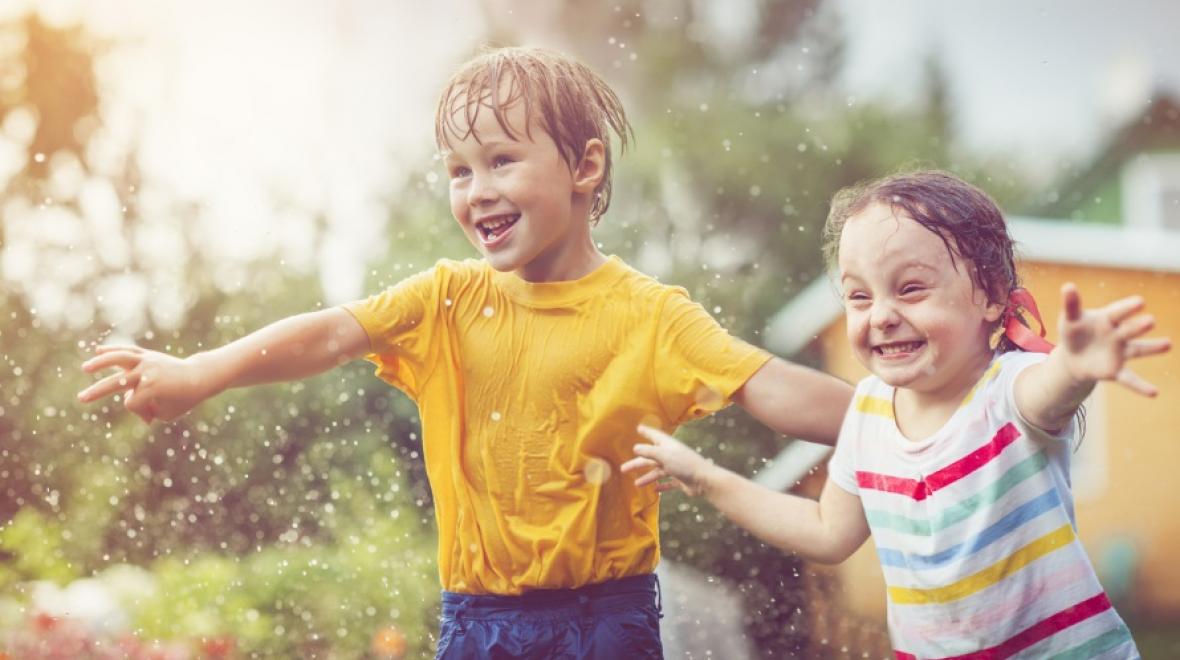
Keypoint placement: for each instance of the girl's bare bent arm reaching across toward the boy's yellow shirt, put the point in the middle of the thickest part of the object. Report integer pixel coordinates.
(825, 532)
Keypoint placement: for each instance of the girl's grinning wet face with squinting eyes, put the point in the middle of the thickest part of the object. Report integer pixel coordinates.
(915, 318)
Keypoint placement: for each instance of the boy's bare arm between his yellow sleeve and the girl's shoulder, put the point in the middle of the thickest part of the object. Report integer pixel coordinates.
(797, 401)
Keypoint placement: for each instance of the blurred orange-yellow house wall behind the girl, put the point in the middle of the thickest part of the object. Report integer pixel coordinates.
(1142, 445)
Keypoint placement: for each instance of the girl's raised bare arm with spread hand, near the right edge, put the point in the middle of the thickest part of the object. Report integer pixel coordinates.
(1096, 345)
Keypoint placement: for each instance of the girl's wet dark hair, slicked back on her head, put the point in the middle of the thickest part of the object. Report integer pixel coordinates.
(967, 220)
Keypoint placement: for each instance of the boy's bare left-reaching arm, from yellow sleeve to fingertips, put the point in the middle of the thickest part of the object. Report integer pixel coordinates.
(162, 387)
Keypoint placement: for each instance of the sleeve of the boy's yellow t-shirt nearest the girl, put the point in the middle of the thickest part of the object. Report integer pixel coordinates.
(699, 365)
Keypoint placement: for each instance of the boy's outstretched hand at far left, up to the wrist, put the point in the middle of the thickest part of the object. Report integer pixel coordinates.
(156, 385)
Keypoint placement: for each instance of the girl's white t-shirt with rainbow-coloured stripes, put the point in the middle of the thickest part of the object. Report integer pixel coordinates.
(975, 530)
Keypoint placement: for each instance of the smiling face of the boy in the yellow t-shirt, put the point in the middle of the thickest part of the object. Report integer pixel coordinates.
(519, 201)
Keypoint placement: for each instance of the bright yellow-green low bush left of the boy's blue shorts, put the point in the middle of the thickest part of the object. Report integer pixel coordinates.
(299, 599)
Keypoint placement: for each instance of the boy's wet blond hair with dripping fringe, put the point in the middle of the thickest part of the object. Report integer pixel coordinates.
(565, 97)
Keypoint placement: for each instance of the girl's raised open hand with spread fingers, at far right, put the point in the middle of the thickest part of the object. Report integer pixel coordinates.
(1098, 343)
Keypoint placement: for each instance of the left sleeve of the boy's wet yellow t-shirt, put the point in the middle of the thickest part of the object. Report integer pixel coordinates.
(395, 322)
